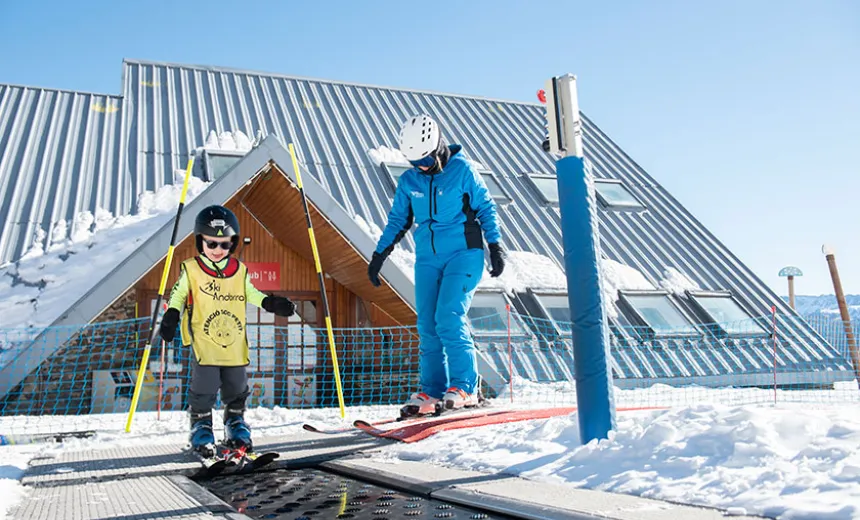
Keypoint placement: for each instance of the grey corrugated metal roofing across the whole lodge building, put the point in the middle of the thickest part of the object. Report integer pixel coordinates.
(168, 110)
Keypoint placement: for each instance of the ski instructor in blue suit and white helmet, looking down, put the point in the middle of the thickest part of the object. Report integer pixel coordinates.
(455, 212)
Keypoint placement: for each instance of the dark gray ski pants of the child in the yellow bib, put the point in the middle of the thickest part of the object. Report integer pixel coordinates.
(207, 380)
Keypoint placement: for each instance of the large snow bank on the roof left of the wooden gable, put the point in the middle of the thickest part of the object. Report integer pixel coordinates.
(45, 281)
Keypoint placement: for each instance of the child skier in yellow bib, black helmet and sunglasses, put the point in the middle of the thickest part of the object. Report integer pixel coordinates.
(214, 288)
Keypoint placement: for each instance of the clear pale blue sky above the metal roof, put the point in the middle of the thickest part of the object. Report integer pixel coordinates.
(747, 111)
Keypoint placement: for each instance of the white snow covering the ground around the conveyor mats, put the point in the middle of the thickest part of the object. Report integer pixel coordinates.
(789, 460)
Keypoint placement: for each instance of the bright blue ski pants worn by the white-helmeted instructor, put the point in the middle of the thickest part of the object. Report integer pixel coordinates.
(444, 287)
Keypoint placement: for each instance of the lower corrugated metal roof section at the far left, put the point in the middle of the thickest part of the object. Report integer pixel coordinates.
(59, 155)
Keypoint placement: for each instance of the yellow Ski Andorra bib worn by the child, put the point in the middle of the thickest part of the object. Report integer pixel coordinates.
(214, 318)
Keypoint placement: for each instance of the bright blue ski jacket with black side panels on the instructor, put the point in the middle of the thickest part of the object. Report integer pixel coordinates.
(451, 208)
